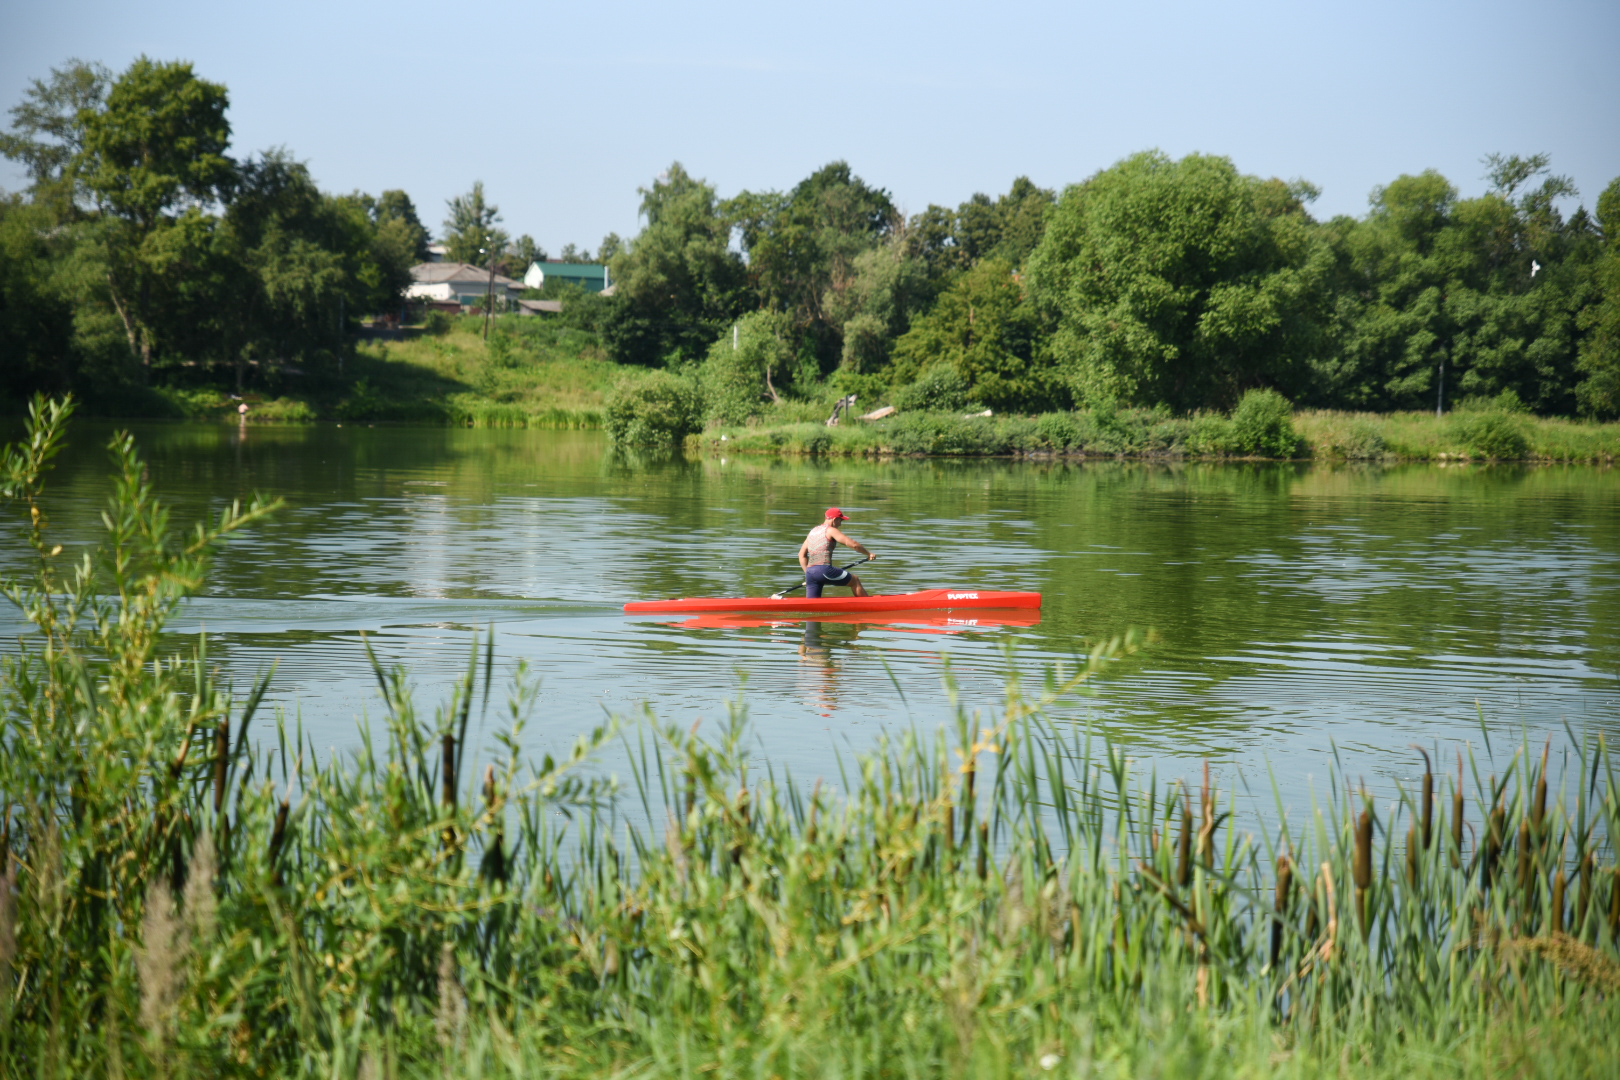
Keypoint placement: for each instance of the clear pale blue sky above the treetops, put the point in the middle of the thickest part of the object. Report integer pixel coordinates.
(566, 111)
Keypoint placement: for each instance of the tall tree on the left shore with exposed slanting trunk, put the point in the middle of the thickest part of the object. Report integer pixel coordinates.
(153, 155)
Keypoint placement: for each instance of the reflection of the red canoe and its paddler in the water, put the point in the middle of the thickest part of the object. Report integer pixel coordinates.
(829, 636)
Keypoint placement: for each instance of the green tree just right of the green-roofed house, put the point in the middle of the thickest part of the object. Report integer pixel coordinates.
(680, 284)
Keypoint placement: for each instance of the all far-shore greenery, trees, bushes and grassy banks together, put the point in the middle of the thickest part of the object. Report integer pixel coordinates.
(1157, 308)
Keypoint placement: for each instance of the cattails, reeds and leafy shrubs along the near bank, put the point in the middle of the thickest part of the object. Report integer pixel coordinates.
(189, 891)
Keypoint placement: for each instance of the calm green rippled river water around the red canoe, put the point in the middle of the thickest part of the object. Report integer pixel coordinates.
(1298, 608)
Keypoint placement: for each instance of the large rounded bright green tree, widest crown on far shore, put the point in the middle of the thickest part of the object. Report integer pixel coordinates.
(1179, 283)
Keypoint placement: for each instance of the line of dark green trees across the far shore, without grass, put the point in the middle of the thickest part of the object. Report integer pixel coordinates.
(142, 250)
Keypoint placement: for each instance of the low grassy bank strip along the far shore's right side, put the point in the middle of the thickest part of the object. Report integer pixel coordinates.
(1469, 435)
